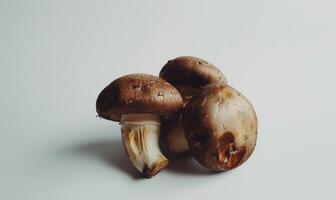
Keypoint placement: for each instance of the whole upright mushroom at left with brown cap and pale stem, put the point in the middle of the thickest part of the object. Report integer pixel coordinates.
(138, 101)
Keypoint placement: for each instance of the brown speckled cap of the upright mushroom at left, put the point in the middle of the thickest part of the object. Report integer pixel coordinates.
(138, 93)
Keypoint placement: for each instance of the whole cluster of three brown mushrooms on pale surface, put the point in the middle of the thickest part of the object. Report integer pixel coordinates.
(191, 105)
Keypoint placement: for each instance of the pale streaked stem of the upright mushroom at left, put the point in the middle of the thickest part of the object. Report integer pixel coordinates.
(140, 135)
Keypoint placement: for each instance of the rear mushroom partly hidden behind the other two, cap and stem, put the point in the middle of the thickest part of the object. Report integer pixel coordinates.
(187, 74)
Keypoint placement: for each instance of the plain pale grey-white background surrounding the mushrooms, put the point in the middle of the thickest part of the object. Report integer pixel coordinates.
(56, 56)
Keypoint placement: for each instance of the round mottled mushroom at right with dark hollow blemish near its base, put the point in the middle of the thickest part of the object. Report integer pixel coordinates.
(221, 127)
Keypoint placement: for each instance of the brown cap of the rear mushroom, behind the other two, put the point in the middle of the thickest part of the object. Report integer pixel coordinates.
(191, 71)
